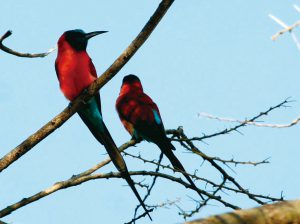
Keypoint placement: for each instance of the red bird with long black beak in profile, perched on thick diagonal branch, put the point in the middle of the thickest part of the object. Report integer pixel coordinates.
(75, 72)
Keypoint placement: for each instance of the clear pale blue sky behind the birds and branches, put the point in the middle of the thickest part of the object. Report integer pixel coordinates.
(205, 56)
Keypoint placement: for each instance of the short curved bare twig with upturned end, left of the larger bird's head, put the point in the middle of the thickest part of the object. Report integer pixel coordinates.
(24, 55)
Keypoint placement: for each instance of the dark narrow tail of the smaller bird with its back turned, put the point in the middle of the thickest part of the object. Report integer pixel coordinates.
(167, 147)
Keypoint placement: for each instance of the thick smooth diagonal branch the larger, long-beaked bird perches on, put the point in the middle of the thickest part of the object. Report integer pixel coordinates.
(57, 121)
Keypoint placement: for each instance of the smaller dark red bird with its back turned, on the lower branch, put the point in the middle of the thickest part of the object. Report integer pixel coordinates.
(141, 118)
